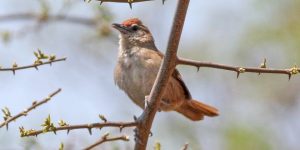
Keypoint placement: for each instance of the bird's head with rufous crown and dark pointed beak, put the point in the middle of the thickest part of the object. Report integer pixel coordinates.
(134, 32)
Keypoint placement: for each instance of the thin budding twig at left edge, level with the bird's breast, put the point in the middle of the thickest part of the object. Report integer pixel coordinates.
(13, 69)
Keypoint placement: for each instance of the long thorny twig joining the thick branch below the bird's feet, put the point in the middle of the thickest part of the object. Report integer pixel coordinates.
(68, 128)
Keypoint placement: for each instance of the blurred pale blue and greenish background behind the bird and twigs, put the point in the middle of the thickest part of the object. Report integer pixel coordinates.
(256, 111)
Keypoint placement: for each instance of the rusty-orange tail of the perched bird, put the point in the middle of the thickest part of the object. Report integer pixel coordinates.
(196, 110)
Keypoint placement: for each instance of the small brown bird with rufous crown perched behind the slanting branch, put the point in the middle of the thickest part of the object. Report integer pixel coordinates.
(138, 64)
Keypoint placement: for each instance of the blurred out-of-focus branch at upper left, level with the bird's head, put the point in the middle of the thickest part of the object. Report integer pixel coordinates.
(58, 17)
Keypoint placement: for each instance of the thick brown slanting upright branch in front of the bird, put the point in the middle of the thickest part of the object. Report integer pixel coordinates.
(166, 69)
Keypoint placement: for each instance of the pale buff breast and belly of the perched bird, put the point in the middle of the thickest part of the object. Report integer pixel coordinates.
(138, 73)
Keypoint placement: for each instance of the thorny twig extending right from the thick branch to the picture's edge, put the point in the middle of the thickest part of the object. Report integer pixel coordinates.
(238, 70)
